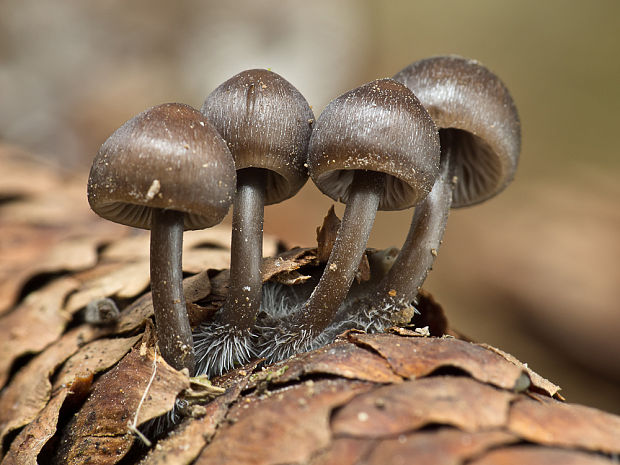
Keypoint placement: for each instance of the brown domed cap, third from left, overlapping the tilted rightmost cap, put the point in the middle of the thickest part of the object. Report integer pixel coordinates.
(380, 126)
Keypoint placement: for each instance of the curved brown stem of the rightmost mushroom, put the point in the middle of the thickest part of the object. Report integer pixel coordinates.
(402, 283)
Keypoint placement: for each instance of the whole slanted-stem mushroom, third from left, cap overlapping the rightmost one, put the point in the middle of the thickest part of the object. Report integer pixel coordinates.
(374, 147)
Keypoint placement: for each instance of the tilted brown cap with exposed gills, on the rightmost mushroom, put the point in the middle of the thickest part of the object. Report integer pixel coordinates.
(476, 117)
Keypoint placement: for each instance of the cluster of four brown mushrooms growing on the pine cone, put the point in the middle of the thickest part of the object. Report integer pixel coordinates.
(443, 132)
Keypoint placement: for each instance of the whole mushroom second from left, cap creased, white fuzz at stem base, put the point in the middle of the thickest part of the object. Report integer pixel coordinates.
(266, 123)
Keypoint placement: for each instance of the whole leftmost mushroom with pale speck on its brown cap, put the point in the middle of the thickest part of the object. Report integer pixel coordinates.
(166, 169)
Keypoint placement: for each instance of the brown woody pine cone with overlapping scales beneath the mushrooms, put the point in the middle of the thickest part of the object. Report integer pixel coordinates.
(72, 393)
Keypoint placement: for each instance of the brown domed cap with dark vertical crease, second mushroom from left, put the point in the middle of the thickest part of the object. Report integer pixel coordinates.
(266, 123)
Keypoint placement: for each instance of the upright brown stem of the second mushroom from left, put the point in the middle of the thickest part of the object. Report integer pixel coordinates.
(246, 251)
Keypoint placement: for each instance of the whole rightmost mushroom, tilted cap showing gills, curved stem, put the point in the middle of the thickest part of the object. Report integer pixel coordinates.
(480, 138)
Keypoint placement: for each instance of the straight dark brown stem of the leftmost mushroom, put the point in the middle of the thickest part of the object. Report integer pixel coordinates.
(174, 333)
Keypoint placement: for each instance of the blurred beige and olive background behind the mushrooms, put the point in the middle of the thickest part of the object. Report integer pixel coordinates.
(534, 271)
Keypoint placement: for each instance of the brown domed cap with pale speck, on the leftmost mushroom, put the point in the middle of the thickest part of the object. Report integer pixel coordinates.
(168, 157)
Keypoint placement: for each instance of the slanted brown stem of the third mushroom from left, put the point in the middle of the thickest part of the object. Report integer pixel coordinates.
(359, 215)
